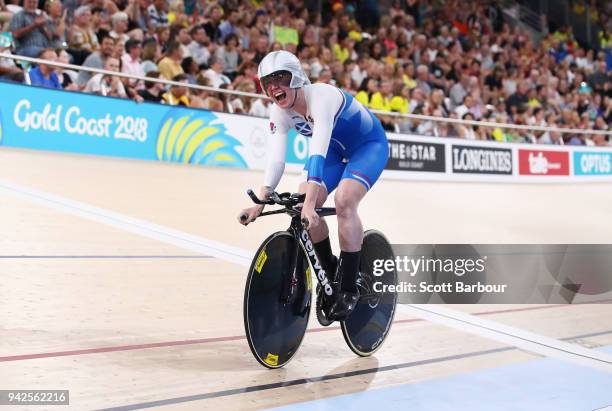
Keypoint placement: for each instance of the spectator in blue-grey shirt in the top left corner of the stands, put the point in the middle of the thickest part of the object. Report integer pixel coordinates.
(31, 30)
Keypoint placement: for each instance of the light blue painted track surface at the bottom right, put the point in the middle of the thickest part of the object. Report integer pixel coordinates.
(542, 384)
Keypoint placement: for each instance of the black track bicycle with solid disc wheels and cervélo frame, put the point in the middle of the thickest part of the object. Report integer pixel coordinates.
(278, 292)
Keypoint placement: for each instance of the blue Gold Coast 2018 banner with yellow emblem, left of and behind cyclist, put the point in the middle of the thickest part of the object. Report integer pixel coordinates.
(43, 119)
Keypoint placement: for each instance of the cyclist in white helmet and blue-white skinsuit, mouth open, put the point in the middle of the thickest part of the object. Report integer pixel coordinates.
(348, 151)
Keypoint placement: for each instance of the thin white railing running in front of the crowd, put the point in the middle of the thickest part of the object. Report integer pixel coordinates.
(261, 96)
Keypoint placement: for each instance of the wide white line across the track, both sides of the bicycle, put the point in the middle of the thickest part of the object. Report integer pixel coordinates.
(465, 322)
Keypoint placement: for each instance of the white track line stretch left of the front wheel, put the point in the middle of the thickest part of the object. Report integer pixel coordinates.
(134, 225)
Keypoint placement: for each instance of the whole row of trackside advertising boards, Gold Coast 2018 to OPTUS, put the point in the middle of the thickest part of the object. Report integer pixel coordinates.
(45, 119)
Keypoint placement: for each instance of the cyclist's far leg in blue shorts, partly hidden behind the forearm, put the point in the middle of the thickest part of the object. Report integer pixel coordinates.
(332, 172)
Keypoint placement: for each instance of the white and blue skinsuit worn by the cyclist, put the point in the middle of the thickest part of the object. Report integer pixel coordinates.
(347, 140)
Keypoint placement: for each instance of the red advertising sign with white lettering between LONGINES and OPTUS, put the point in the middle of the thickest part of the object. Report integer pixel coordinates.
(543, 163)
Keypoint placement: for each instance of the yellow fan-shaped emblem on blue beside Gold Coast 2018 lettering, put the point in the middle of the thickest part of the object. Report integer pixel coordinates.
(193, 137)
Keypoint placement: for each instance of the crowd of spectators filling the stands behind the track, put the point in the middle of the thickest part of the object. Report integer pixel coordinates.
(452, 58)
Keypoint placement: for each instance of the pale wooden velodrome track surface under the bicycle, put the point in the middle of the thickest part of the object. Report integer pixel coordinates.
(120, 318)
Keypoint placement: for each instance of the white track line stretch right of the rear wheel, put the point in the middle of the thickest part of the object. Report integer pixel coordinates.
(516, 337)
